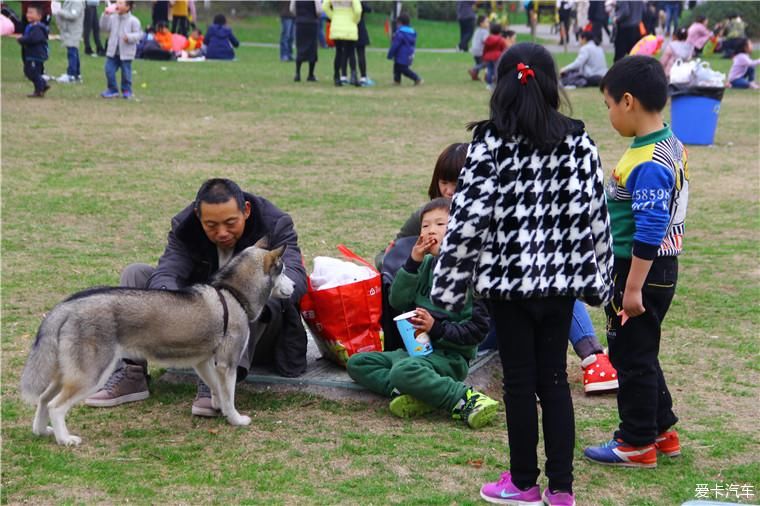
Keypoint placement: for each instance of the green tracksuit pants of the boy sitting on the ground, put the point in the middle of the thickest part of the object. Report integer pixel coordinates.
(435, 379)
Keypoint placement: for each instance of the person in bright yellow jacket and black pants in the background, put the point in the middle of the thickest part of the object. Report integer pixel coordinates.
(344, 19)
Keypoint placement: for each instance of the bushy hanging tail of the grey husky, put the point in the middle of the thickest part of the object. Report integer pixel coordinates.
(42, 364)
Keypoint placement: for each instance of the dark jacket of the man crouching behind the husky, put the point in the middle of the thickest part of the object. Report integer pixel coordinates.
(190, 257)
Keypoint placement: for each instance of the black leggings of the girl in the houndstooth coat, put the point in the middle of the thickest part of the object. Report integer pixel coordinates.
(532, 338)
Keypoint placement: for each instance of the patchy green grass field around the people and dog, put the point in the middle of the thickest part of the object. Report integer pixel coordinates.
(90, 185)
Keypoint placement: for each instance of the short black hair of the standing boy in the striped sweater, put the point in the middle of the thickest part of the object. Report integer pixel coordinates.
(641, 76)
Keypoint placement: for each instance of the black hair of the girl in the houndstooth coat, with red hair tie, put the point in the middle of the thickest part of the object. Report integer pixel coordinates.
(530, 109)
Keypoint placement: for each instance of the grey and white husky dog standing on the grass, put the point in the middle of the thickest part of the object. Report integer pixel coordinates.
(205, 326)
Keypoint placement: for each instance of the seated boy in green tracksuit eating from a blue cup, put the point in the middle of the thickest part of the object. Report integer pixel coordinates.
(419, 385)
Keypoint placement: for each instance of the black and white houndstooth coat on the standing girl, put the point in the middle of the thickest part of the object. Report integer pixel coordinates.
(525, 224)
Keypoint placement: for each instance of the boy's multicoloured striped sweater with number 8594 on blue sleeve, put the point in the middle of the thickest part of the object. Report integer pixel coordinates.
(647, 197)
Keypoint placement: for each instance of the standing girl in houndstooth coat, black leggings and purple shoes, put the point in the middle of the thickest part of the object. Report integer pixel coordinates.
(529, 233)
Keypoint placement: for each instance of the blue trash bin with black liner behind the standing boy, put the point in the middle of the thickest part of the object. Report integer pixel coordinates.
(694, 113)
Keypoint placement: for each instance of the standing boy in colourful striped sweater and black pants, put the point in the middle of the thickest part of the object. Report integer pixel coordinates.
(647, 194)
